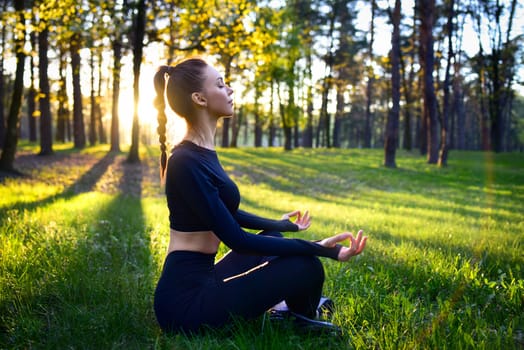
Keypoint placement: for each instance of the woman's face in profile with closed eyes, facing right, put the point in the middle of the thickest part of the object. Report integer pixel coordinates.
(217, 94)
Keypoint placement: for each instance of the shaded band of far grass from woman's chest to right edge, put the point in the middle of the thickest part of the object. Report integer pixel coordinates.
(337, 180)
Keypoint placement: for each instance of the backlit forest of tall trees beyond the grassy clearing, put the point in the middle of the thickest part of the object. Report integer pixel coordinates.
(306, 73)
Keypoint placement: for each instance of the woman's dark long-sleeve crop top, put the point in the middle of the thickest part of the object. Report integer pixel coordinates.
(201, 197)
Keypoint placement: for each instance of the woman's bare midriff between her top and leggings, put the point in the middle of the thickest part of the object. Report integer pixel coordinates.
(198, 241)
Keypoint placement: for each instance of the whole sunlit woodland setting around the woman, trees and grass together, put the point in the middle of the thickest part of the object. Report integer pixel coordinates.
(401, 118)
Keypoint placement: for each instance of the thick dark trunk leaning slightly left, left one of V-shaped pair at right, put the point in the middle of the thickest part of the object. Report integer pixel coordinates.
(427, 14)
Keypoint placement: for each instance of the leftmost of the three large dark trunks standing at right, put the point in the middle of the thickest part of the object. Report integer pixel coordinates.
(391, 139)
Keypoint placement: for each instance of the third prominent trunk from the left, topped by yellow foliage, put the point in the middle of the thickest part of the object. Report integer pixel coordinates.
(79, 136)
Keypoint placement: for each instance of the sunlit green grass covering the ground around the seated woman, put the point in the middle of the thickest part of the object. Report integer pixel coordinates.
(82, 241)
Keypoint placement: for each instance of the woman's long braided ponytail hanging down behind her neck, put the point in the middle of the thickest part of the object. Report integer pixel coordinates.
(160, 105)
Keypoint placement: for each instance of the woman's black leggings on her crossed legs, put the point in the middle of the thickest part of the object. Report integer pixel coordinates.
(194, 291)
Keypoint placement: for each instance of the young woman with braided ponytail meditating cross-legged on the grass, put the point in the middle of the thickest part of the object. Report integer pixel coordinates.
(262, 269)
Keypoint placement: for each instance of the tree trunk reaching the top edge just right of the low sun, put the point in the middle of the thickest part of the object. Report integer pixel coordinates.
(138, 46)
